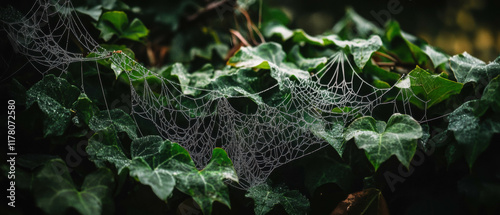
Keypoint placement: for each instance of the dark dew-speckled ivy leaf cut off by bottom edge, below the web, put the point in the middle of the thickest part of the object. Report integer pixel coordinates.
(266, 197)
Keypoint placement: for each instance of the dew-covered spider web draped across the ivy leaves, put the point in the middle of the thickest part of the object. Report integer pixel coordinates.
(311, 114)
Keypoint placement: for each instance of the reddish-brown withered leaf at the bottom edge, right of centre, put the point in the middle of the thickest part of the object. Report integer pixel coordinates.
(369, 201)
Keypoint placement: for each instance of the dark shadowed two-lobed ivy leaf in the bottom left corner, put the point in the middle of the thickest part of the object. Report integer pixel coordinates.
(55, 191)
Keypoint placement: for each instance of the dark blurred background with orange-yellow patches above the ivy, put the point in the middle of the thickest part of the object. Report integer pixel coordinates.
(452, 25)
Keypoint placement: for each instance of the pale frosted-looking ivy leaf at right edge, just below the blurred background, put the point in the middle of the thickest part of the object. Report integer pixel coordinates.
(467, 68)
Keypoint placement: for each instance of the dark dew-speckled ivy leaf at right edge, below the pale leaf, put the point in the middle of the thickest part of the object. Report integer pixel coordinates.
(472, 134)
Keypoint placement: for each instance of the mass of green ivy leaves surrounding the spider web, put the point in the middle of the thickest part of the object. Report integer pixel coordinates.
(82, 151)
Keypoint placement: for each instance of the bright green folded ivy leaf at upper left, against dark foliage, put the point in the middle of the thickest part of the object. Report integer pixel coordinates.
(116, 23)
